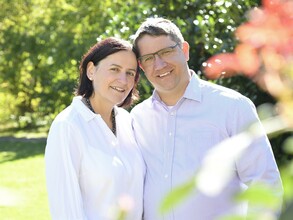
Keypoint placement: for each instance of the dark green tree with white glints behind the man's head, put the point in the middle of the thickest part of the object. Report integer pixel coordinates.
(207, 25)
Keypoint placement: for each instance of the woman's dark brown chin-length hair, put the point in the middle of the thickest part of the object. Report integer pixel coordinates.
(97, 53)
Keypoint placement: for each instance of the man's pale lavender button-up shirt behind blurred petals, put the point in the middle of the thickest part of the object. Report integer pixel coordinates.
(174, 141)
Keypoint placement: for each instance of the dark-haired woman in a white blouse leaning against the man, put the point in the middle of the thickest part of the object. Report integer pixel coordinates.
(93, 167)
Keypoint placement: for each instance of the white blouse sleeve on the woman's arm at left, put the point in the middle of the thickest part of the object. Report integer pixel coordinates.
(61, 159)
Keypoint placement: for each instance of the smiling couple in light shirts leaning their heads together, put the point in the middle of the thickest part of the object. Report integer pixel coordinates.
(102, 162)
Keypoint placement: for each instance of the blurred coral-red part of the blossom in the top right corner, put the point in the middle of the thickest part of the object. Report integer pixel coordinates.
(266, 43)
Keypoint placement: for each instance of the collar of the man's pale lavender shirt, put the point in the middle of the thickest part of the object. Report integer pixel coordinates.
(193, 90)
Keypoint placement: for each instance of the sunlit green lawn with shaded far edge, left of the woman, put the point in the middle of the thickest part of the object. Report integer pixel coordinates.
(23, 193)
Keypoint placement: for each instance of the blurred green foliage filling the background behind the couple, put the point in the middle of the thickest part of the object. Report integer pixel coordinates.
(43, 41)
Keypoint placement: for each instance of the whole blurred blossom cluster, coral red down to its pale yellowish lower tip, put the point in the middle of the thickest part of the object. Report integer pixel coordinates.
(265, 53)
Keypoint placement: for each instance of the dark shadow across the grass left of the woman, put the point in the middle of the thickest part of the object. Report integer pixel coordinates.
(12, 148)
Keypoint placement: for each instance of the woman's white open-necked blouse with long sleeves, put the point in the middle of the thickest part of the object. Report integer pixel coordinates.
(92, 174)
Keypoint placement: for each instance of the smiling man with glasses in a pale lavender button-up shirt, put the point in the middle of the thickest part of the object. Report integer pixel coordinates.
(183, 119)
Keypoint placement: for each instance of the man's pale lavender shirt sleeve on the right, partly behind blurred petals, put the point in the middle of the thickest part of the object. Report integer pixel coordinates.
(257, 165)
